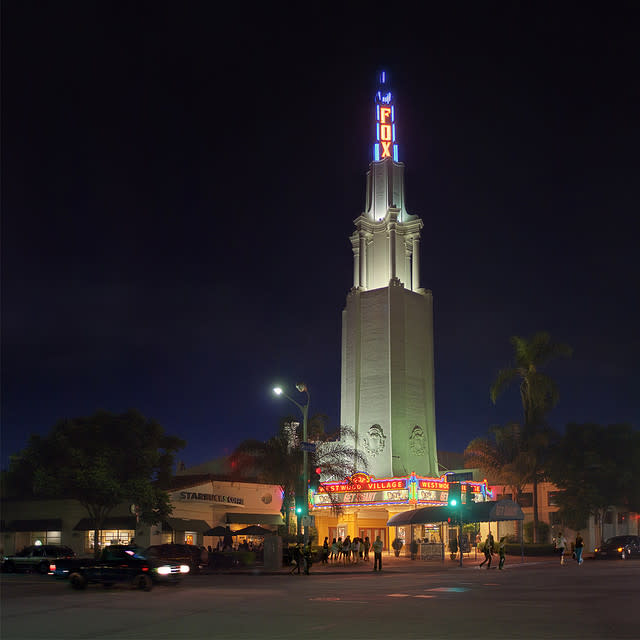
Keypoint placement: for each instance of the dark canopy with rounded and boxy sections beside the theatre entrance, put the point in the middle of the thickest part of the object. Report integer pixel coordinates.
(477, 512)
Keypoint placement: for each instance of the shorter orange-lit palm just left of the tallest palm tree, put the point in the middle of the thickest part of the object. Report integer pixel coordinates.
(501, 456)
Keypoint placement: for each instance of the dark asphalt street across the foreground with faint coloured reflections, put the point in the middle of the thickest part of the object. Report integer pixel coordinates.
(535, 599)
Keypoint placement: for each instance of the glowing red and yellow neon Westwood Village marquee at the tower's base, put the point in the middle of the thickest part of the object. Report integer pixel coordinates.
(362, 489)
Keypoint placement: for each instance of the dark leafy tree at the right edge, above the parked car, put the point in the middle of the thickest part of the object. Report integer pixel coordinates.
(596, 467)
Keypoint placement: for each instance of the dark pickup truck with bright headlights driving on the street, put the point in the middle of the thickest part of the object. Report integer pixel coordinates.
(118, 564)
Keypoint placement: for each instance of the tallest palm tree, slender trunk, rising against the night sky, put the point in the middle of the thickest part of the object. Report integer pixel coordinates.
(539, 394)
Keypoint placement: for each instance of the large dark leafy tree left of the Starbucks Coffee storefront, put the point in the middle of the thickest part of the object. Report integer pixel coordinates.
(101, 461)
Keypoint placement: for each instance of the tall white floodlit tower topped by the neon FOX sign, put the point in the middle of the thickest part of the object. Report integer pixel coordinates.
(387, 385)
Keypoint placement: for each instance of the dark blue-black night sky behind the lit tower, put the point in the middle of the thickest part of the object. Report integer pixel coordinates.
(179, 187)
